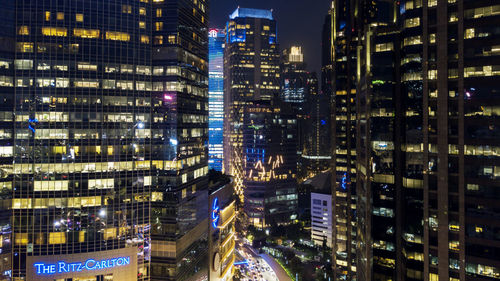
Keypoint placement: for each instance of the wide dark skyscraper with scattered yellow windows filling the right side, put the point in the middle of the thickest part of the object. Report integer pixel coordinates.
(425, 131)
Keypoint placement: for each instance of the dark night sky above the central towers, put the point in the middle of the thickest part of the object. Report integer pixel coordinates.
(299, 22)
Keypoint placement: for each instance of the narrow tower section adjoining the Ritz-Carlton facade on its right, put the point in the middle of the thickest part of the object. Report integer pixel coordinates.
(180, 89)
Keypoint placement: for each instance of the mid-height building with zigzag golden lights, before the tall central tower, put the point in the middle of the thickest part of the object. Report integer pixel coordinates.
(270, 165)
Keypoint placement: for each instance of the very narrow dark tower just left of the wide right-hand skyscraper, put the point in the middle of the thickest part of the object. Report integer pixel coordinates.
(339, 78)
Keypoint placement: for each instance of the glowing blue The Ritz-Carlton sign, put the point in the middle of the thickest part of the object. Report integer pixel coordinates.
(88, 265)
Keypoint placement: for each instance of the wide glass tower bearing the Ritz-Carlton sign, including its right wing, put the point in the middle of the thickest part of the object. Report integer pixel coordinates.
(103, 140)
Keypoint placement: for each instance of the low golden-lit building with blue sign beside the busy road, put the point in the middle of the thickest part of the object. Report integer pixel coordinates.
(222, 234)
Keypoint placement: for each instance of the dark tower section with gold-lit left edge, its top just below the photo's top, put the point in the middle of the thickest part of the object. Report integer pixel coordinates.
(379, 177)
